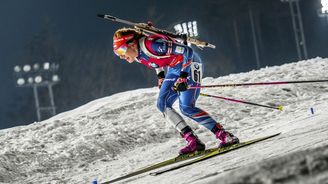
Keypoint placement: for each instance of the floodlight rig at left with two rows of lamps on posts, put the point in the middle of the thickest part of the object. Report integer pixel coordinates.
(44, 75)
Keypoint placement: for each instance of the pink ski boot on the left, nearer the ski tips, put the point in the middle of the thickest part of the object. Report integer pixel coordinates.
(194, 144)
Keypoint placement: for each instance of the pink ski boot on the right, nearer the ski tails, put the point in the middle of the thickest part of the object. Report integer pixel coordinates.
(226, 138)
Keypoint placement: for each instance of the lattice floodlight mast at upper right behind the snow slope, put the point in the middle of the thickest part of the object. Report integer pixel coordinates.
(298, 28)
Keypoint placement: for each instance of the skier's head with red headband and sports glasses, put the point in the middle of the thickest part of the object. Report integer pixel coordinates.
(125, 43)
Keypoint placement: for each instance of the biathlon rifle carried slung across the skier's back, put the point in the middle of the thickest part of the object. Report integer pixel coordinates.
(150, 29)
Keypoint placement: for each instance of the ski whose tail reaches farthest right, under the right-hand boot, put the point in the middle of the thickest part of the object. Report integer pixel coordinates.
(214, 153)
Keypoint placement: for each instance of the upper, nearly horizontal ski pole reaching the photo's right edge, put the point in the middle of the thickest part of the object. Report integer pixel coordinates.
(256, 84)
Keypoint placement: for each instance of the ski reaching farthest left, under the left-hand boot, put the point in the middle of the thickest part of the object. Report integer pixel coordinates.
(163, 164)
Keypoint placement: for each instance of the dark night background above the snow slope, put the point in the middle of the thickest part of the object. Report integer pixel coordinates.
(69, 33)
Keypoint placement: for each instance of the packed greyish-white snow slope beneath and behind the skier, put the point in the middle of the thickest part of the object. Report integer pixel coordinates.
(112, 136)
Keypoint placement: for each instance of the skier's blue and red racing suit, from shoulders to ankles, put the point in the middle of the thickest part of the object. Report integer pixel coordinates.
(157, 51)
